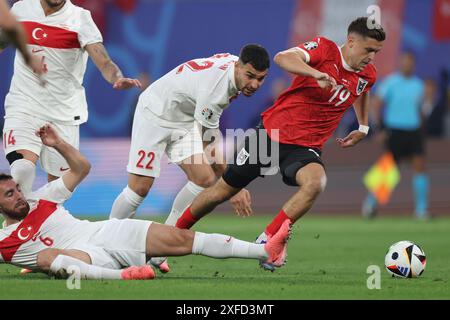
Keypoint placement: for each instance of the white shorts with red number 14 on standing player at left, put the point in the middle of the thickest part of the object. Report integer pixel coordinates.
(19, 133)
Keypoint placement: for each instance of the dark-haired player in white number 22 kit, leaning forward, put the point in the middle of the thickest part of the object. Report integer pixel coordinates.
(171, 115)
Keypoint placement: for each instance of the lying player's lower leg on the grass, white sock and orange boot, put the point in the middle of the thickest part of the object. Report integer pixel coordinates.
(62, 263)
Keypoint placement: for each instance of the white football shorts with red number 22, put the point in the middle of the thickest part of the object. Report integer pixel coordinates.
(149, 142)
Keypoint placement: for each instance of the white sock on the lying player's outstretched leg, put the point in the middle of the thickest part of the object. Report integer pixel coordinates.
(221, 246)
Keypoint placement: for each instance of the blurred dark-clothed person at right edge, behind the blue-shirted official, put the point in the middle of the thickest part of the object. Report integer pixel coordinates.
(435, 105)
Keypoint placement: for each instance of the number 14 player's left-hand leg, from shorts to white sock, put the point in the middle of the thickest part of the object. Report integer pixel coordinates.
(22, 149)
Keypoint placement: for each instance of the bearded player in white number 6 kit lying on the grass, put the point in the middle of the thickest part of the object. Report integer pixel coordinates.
(41, 235)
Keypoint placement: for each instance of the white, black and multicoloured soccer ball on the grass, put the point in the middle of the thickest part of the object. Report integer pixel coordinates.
(405, 259)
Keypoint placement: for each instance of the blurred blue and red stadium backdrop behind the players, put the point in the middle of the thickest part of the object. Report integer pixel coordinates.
(148, 38)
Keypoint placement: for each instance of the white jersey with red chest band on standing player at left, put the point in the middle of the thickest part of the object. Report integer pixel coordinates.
(60, 38)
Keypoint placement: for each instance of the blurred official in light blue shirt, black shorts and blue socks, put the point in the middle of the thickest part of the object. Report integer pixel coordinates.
(402, 94)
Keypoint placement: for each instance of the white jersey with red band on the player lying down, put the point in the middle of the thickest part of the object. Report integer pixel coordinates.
(47, 225)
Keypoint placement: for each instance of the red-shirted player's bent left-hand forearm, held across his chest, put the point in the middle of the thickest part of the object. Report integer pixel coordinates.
(294, 60)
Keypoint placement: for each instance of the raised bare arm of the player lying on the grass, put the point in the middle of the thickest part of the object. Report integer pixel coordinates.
(78, 164)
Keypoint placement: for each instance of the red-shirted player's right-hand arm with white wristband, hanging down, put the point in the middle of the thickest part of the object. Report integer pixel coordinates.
(361, 107)
